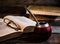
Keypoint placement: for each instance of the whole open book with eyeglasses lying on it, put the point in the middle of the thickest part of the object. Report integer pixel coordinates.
(13, 26)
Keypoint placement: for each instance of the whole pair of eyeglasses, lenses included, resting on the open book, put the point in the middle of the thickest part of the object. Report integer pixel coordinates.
(11, 24)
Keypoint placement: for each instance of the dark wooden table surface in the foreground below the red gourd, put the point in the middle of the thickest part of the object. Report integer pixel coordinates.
(54, 39)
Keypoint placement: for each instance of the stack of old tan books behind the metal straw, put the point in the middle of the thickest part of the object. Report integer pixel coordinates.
(44, 12)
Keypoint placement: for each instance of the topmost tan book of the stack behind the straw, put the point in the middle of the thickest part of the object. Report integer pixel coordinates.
(44, 10)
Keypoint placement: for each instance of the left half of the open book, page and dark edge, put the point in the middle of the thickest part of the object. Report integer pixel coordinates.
(7, 32)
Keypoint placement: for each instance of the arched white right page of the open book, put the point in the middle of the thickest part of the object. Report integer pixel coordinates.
(22, 21)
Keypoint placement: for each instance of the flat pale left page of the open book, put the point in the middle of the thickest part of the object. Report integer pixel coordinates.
(4, 29)
